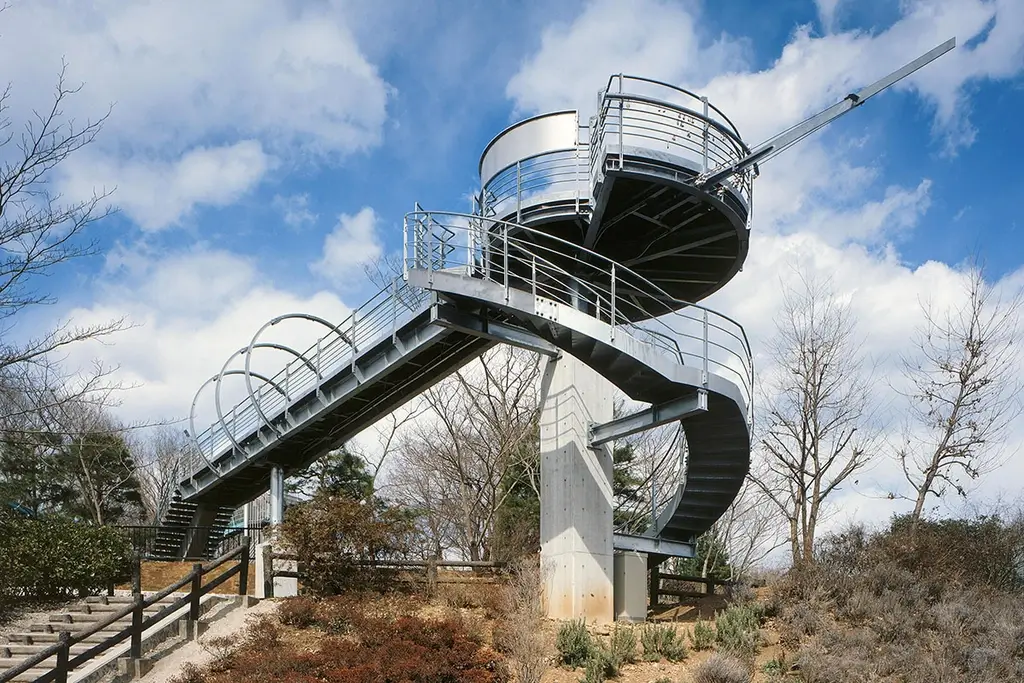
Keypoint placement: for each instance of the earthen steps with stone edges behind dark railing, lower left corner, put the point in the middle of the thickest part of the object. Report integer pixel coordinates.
(76, 618)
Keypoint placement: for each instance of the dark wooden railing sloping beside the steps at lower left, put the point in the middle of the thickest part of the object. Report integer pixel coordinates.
(140, 623)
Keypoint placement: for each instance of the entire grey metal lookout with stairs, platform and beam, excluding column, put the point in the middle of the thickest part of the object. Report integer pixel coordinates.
(595, 240)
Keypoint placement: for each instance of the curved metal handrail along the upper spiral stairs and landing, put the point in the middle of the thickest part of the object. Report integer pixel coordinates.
(520, 258)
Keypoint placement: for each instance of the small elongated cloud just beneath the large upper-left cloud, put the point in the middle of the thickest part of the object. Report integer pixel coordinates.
(157, 195)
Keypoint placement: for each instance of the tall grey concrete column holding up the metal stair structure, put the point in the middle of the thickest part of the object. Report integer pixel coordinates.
(577, 552)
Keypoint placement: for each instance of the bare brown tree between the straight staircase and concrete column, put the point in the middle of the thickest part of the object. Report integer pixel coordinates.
(480, 434)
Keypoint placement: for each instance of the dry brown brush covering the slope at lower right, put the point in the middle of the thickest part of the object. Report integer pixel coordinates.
(942, 603)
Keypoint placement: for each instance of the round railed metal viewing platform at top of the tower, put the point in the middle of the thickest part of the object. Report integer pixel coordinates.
(627, 185)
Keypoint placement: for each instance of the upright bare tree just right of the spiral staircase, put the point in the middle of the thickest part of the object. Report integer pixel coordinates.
(817, 410)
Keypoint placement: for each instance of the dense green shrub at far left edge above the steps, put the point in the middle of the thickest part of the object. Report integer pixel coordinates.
(57, 558)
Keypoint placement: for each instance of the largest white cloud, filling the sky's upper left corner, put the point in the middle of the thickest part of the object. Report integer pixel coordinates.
(193, 77)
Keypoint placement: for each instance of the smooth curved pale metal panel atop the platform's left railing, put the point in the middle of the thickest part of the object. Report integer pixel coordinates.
(543, 135)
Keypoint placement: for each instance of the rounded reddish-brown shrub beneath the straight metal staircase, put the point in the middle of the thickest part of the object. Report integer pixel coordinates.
(333, 537)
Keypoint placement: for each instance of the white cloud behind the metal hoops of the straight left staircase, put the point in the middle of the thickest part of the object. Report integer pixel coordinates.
(192, 311)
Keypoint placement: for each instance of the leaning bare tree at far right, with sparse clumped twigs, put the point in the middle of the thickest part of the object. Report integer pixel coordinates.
(964, 391)
